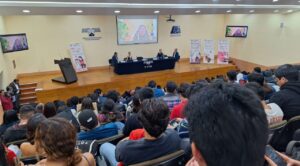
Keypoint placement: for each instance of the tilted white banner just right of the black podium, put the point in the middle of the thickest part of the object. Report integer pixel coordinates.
(78, 57)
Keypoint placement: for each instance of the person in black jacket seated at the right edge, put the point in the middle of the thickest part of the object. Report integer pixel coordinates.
(288, 96)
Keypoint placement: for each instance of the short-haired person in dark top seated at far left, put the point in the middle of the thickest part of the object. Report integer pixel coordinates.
(19, 130)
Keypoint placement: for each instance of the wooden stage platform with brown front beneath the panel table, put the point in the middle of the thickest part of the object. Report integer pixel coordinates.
(105, 79)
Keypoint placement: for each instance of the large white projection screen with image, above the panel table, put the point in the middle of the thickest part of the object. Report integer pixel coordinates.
(137, 29)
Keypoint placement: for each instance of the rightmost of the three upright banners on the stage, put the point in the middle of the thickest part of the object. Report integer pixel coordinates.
(223, 52)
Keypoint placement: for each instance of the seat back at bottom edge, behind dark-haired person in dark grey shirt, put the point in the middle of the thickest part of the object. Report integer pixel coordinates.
(176, 158)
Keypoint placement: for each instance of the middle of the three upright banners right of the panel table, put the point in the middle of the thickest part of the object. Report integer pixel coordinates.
(208, 52)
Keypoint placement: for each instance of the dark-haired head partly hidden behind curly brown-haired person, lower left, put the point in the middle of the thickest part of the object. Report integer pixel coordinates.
(32, 124)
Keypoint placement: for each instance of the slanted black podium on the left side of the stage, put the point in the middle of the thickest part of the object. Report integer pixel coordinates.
(66, 68)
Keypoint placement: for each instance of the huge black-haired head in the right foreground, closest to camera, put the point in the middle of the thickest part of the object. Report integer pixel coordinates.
(228, 126)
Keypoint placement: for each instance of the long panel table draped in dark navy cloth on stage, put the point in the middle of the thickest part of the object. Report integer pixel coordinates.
(145, 65)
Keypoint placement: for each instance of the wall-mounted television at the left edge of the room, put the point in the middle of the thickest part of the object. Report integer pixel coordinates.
(13, 42)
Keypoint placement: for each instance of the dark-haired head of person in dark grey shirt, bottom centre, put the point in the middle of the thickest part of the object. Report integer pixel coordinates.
(154, 116)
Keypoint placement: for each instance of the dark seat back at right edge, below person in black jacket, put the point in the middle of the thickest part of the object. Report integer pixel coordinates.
(281, 138)
